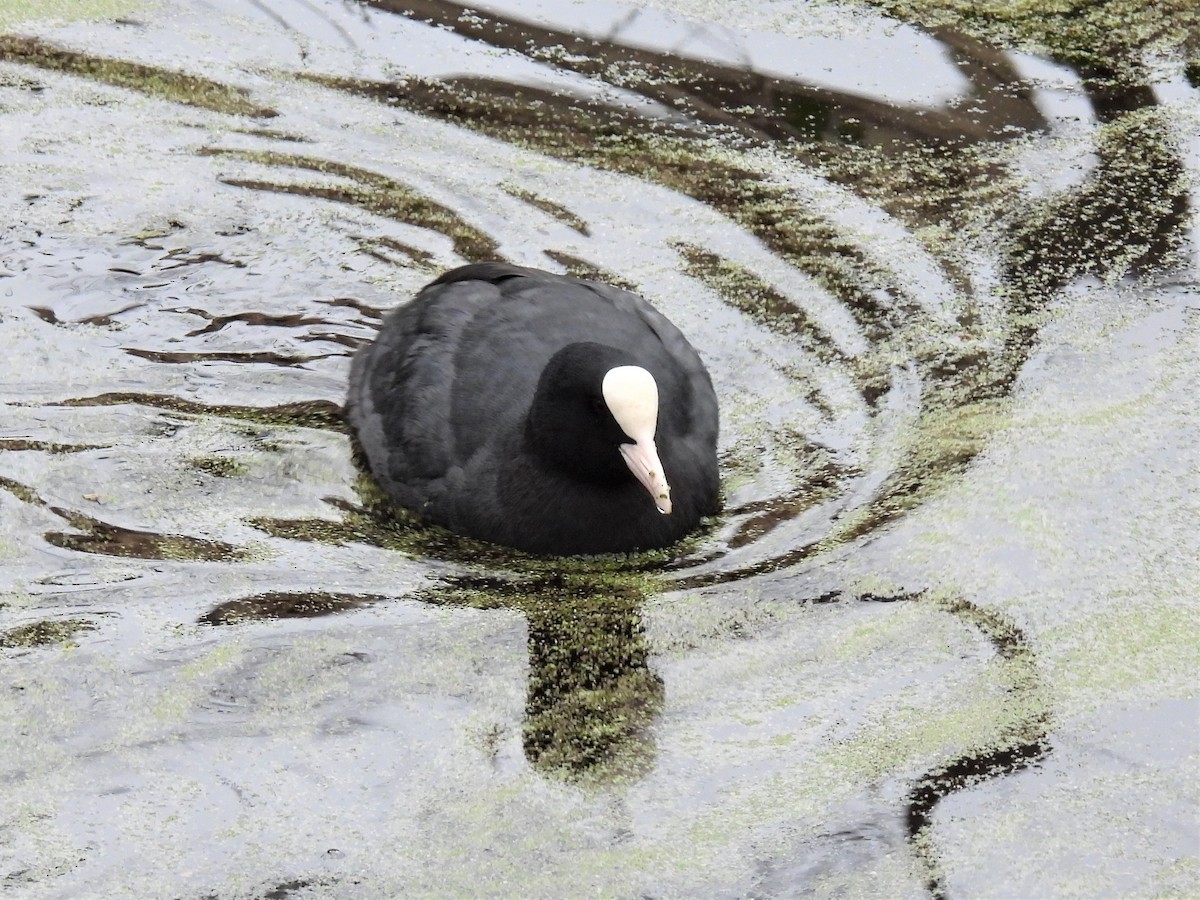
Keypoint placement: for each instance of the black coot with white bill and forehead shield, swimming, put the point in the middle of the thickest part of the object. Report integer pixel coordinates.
(541, 412)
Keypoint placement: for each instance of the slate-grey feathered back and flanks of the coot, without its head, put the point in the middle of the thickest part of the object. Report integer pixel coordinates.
(440, 400)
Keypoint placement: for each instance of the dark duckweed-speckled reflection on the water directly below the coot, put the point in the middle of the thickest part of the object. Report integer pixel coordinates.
(591, 695)
